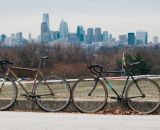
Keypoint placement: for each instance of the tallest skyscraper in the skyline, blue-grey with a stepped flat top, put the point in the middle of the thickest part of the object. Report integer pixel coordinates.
(45, 32)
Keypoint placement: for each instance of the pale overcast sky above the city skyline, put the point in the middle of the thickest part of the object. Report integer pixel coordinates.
(115, 16)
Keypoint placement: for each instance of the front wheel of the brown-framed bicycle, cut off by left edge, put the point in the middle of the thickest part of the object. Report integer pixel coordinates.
(8, 93)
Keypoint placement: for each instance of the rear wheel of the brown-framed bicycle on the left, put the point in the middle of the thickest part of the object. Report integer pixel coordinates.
(53, 94)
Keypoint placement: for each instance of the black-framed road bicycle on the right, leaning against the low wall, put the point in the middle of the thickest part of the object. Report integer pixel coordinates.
(141, 94)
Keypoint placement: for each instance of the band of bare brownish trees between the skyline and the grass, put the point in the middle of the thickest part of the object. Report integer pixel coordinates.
(70, 60)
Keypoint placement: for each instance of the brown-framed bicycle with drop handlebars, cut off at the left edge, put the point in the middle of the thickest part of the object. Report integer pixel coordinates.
(51, 93)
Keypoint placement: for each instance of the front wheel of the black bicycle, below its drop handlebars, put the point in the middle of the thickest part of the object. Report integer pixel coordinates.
(89, 103)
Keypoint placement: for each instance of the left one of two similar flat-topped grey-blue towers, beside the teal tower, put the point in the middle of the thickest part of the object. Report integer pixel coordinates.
(89, 36)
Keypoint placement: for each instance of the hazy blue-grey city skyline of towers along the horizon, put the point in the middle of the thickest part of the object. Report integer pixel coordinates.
(92, 37)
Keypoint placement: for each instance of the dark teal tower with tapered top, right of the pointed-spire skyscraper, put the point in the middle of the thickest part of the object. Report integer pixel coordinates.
(80, 33)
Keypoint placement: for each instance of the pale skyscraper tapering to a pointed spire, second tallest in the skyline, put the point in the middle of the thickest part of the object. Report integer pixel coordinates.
(63, 29)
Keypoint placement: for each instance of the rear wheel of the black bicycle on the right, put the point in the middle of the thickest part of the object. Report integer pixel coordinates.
(143, 95)
